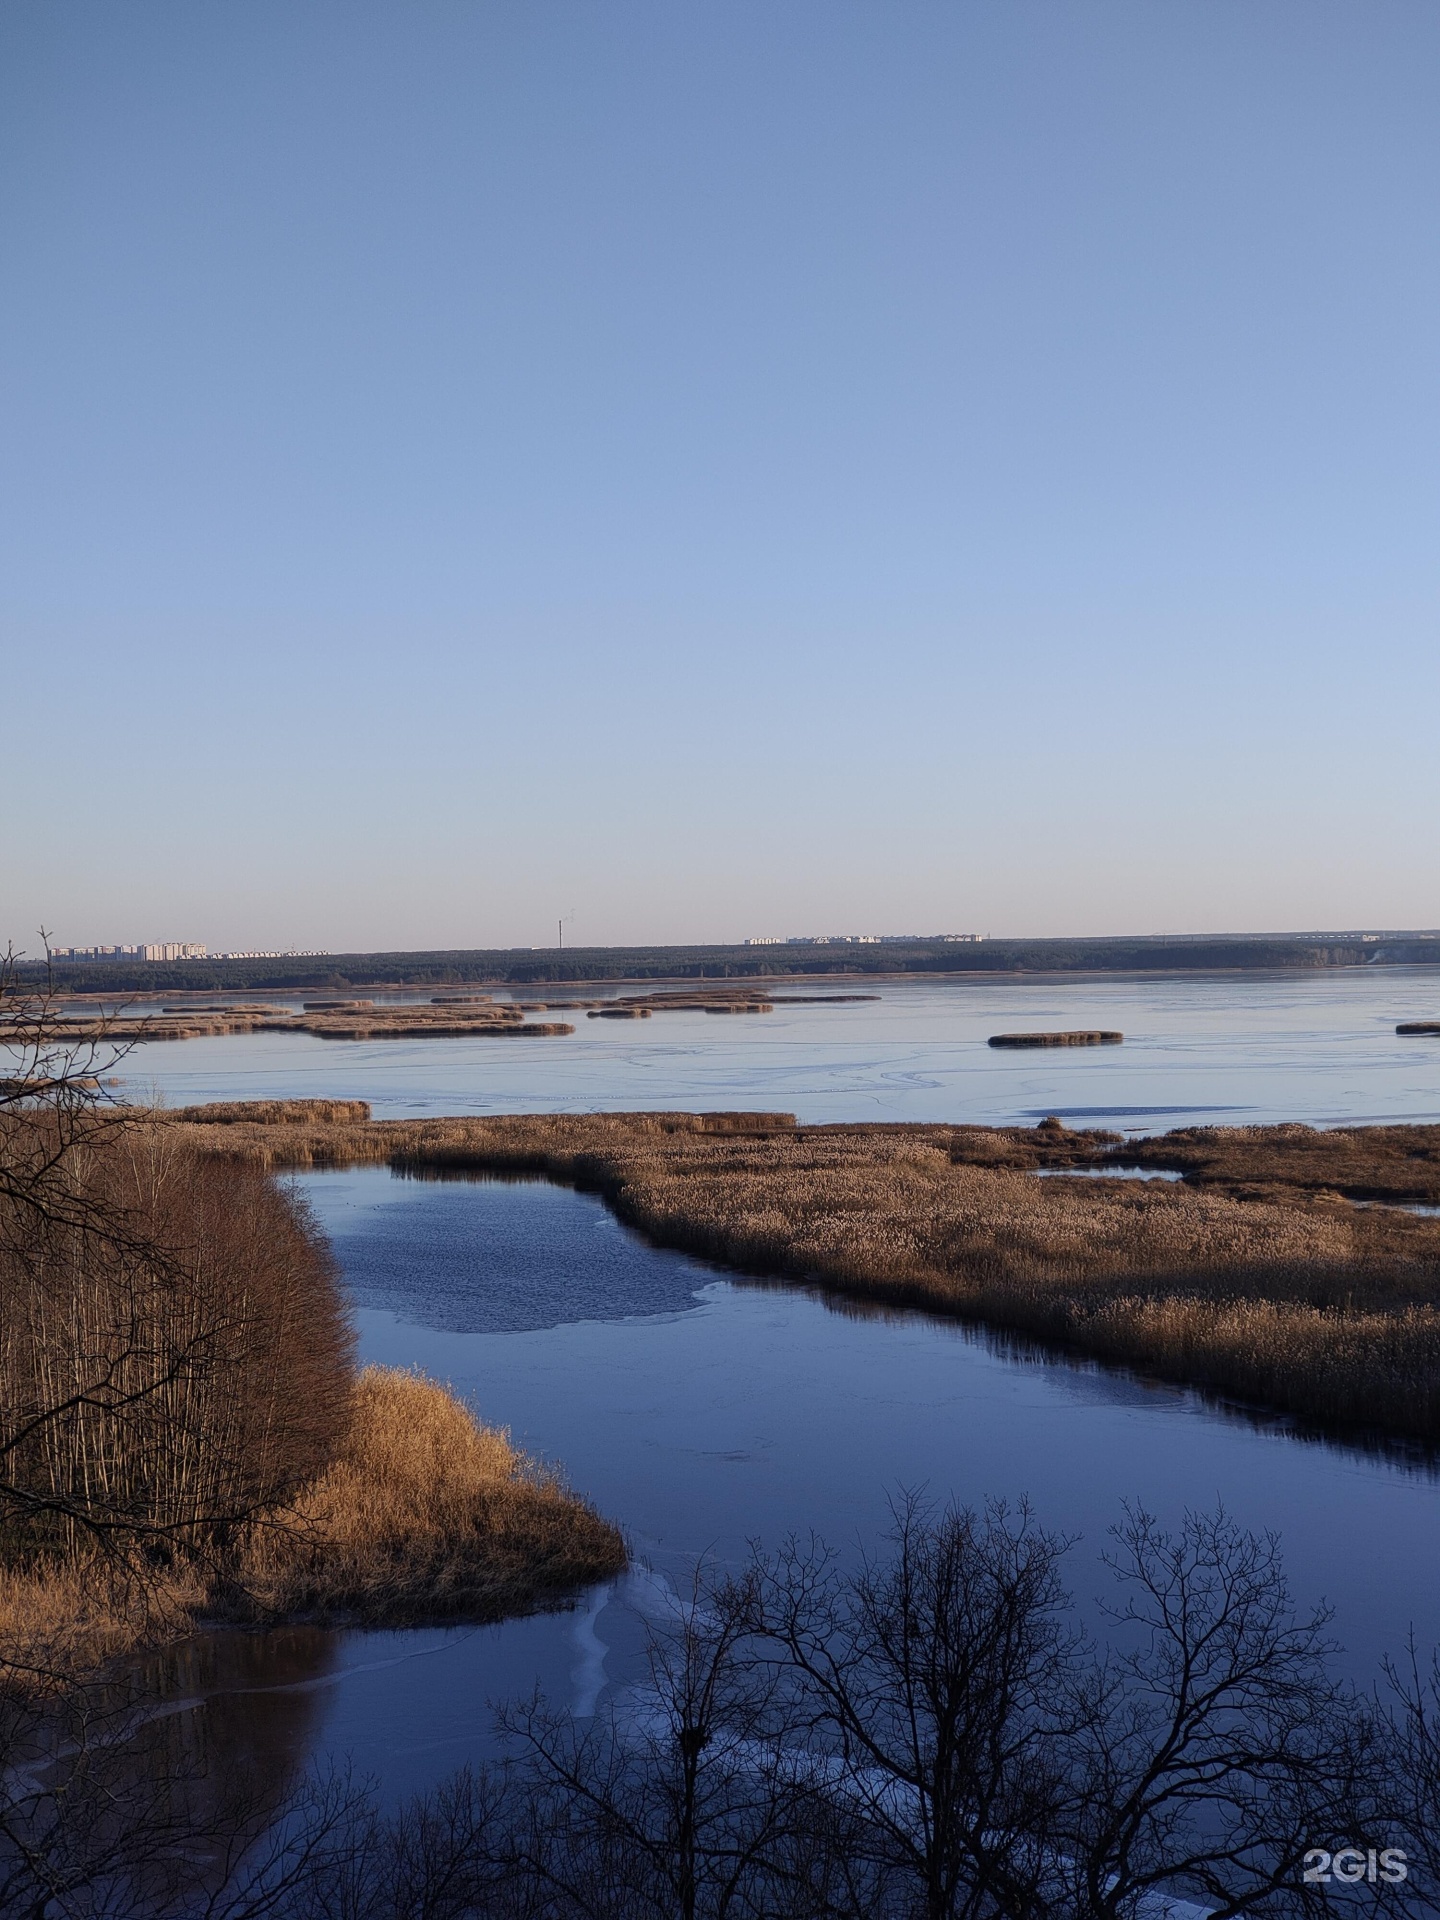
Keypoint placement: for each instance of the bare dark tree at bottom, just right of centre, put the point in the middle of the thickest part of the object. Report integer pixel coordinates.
(940, 1685)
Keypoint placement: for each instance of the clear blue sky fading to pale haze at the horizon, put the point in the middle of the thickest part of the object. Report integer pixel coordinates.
(717, 469)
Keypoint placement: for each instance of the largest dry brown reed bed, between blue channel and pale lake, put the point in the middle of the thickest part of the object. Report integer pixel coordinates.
(1259, 1284)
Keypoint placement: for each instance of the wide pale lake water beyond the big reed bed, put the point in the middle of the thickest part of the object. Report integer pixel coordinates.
(1226, 1047)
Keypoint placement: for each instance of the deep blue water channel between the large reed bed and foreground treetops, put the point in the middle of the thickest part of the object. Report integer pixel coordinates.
(704, 1414)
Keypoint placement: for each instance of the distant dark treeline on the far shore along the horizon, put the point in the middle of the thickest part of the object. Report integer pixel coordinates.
(525, 967)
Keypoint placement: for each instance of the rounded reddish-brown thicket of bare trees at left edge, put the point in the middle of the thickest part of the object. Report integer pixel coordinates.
(174, 1347)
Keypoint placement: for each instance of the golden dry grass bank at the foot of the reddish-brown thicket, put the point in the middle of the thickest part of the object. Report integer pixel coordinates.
(423, 1518)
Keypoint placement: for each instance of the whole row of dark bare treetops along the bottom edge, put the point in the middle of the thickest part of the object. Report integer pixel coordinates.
(924, 1739)
